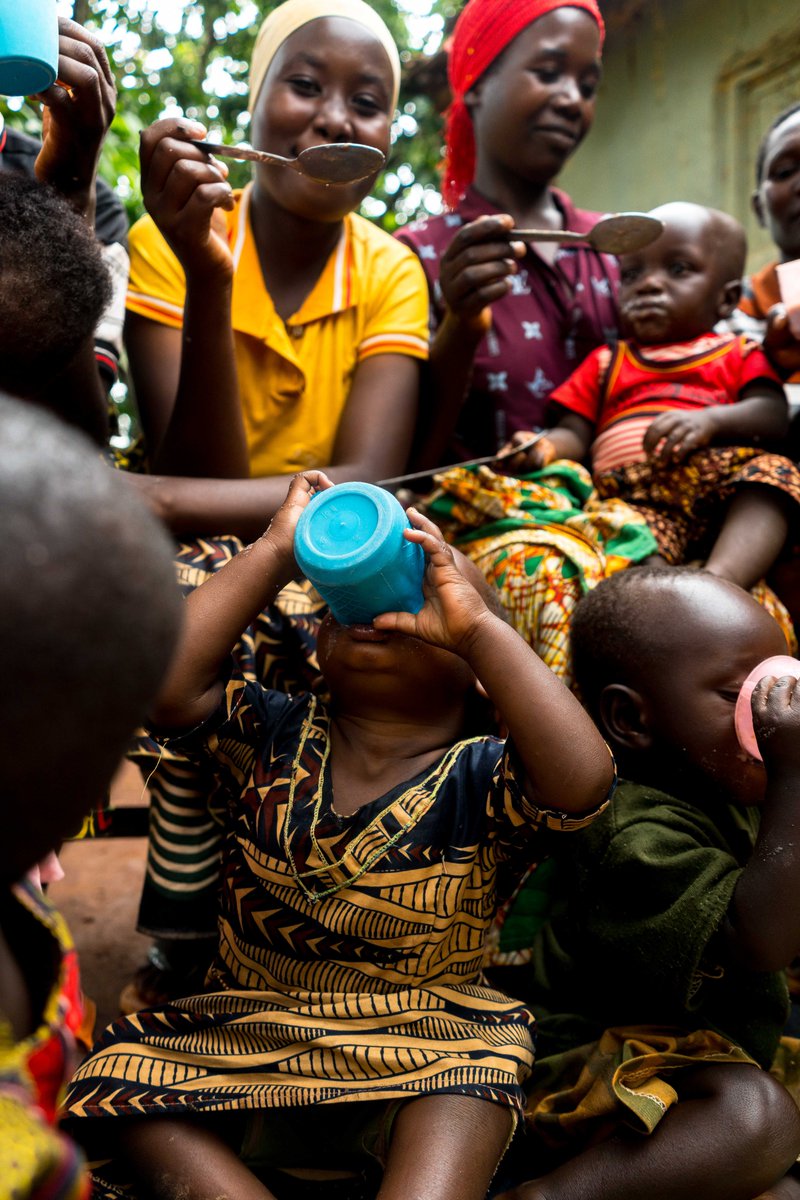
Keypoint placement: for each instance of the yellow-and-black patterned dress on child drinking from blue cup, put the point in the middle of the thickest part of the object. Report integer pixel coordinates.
(351, 947)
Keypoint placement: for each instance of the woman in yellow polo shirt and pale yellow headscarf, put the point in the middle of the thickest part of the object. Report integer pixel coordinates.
(278, 303)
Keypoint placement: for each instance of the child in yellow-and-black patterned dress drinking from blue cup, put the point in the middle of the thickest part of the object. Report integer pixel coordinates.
(369, 845)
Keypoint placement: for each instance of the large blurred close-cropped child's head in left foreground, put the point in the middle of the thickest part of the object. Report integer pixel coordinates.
(89, 615)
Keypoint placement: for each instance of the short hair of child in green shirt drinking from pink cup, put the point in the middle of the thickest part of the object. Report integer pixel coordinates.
(613, 631)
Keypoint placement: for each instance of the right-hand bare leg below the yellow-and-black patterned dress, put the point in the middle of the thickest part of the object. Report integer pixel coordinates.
(446, 1148)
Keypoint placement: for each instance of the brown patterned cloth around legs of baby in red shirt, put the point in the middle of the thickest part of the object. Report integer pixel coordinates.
(684, 503)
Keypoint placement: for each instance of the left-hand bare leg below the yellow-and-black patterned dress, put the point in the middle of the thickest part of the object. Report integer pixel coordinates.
(177, 1160)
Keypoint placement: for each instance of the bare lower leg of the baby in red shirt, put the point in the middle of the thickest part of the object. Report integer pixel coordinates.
(754, 533)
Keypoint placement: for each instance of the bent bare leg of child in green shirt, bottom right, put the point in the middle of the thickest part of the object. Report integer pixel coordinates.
(733, 1136)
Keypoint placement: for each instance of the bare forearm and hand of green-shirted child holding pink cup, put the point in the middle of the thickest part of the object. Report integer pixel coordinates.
(762, 928)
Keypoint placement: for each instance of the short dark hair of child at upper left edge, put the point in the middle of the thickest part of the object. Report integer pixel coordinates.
(55, 285)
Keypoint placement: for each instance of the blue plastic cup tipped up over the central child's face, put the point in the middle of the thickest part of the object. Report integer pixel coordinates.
(350, 543)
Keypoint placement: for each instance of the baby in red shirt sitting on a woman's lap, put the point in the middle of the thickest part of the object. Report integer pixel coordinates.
(675, 417)
